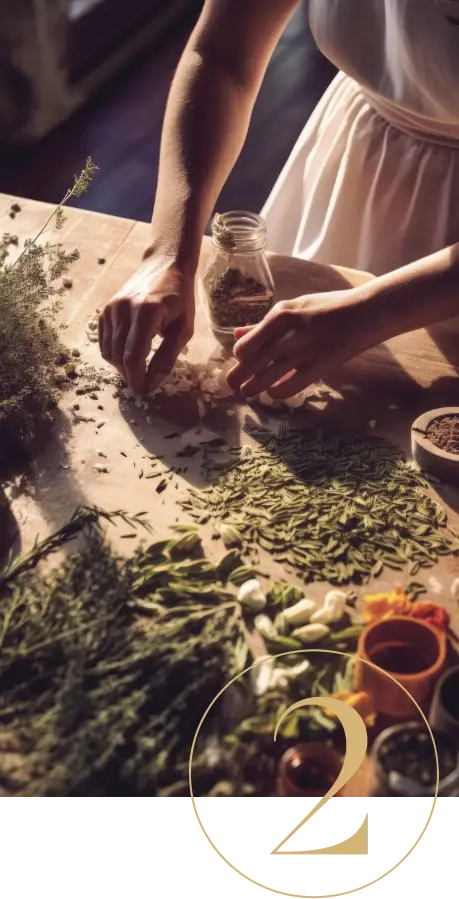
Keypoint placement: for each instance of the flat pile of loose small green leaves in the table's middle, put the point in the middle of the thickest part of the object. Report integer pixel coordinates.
(334, 507)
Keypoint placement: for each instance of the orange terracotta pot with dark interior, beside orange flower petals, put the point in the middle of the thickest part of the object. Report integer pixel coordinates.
(412, 651)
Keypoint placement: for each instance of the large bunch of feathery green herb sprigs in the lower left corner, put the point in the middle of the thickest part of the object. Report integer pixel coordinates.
(107, 664)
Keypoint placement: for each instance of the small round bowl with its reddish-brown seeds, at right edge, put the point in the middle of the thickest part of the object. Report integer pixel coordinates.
(435, 443)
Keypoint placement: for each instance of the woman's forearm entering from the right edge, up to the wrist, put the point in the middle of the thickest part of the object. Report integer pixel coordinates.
(415, 296)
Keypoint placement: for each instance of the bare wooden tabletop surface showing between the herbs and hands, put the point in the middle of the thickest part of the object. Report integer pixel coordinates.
(416, 372)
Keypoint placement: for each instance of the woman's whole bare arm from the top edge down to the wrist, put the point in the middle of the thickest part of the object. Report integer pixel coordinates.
(208, 114)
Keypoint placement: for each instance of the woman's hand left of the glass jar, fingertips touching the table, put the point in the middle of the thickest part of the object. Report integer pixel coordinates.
(157, 300)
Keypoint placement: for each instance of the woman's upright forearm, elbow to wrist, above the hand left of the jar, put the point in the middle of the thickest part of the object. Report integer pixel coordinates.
(205, 127)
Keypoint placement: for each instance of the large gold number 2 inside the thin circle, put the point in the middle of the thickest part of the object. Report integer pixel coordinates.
(355, 843)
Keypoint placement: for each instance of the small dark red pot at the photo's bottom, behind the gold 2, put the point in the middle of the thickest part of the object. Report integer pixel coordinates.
(307, 771)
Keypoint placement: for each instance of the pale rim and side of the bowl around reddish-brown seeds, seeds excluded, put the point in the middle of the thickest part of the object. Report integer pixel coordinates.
(429, 457)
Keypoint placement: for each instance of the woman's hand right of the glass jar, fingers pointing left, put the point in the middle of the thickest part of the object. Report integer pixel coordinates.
(299, 342)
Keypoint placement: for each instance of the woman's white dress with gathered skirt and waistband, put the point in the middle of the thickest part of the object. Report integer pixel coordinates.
(373, 181)
